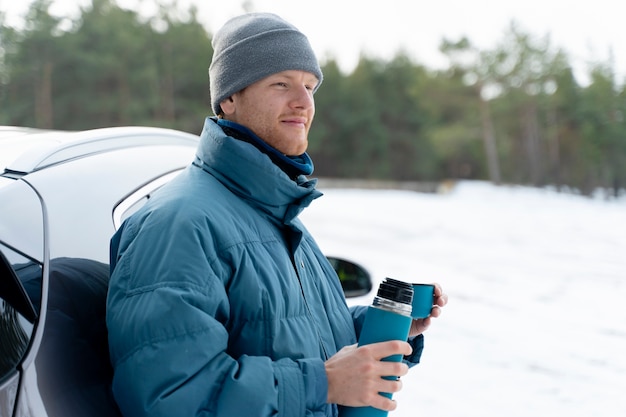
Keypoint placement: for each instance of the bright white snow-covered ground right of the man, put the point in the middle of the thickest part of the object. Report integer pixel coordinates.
(536, 322)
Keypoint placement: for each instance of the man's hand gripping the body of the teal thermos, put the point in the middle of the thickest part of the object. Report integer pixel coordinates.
(355, 374)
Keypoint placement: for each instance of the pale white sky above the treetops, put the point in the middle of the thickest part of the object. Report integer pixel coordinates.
(589, 31)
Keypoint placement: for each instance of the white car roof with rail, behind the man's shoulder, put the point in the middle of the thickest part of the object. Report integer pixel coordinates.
(26, 151)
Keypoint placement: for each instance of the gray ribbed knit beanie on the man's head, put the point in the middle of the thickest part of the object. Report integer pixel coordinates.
(253, 46)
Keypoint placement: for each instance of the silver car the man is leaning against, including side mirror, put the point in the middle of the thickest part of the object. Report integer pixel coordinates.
(62, 196)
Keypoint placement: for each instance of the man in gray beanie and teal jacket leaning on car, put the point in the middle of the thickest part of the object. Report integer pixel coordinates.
(220, 301)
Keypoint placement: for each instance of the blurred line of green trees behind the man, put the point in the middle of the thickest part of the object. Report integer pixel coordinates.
(513, 114)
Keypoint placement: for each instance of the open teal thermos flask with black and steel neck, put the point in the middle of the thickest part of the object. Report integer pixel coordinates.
(388, 318)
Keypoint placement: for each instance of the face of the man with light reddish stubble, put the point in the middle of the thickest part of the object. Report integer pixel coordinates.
(279, 109)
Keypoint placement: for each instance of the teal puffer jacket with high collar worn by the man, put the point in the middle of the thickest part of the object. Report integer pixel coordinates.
(220, 302)
